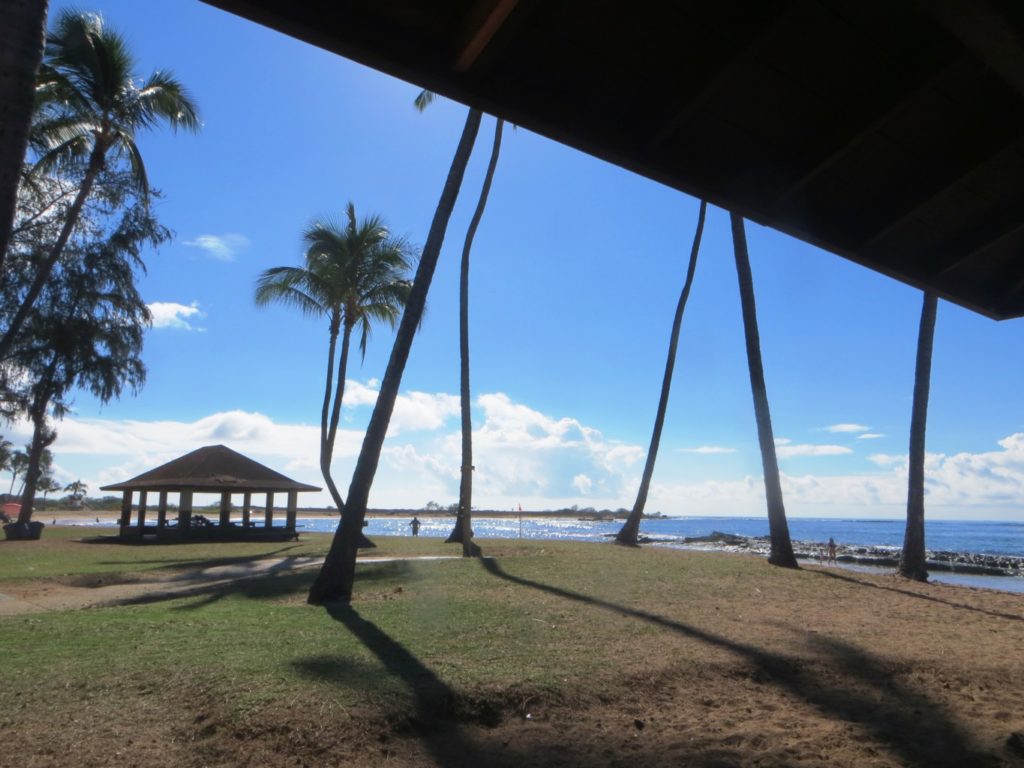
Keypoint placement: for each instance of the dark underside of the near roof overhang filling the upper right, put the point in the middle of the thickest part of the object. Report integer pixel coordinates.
(888, 132)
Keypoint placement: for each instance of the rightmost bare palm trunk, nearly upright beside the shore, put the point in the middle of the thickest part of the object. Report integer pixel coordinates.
(913, 562)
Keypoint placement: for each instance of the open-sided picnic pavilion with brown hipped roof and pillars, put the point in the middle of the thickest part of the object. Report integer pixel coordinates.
(214, 470)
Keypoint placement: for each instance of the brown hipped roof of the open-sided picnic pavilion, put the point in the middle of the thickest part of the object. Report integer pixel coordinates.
(211, 470)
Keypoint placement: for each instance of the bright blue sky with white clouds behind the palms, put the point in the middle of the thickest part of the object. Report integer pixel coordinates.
(577, 270)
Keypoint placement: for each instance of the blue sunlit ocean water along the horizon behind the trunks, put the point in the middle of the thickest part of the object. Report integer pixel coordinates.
(979, 537)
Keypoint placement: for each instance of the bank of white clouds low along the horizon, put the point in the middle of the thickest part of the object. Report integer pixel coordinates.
(529, 458)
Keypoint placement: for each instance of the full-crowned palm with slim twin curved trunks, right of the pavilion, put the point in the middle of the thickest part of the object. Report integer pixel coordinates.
(355, 275)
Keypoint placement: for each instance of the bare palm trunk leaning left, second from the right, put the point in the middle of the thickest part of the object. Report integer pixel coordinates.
(782, 547)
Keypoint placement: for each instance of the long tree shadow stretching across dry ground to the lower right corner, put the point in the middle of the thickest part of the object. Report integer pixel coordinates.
(914, 728)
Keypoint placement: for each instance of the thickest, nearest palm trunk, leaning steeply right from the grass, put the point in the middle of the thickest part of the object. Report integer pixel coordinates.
(338, 573)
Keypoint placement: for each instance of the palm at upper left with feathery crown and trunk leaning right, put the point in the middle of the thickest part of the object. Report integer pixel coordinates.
(90, 110)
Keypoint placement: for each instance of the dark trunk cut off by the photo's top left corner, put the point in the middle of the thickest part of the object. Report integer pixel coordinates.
(22, 40)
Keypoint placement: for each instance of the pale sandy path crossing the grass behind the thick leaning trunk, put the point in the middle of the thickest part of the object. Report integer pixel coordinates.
(40, 596)
